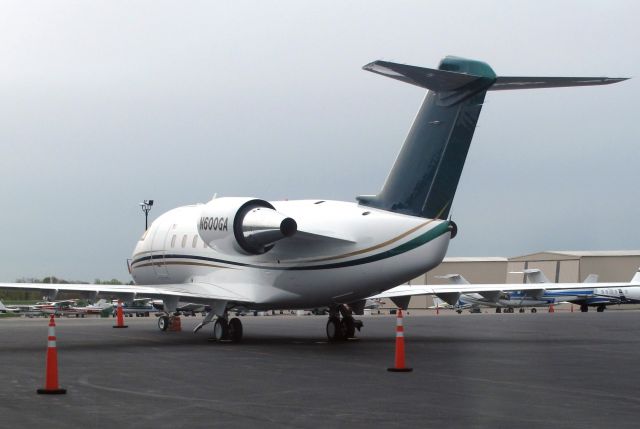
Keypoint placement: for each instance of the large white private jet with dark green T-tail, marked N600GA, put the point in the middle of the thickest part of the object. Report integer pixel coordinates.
(245, 252)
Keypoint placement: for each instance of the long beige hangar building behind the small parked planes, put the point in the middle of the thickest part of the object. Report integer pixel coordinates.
(557, 266)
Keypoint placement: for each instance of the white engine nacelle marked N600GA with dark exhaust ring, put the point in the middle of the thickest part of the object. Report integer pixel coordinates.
(245, 225)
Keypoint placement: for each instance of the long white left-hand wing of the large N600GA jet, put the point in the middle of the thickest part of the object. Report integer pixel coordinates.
(197, 291)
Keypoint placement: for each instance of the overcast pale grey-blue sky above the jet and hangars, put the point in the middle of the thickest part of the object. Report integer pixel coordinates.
(106, 103)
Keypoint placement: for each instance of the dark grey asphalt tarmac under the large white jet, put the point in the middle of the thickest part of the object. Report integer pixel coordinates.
(562, 370)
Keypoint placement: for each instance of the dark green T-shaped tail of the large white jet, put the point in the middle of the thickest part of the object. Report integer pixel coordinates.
(426, 173)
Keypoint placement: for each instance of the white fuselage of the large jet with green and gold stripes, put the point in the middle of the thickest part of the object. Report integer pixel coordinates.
(342, 252)
